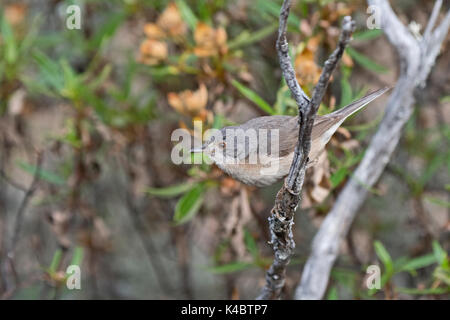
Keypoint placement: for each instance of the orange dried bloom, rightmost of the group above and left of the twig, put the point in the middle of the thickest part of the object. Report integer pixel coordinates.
(209, 41)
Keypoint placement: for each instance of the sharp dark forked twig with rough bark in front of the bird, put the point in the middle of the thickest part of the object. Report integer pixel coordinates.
(288, 197)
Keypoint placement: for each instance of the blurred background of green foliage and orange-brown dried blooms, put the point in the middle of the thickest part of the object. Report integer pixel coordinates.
(86, 176)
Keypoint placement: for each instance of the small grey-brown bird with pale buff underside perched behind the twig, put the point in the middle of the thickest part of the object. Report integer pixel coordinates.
(263, 159)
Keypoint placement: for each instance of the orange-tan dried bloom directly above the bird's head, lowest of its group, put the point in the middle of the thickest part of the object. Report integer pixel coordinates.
(188, 102)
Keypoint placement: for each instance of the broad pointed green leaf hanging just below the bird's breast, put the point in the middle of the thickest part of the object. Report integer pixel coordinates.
(188, 206)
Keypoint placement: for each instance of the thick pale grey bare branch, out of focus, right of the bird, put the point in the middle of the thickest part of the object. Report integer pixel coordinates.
(416, 59)
